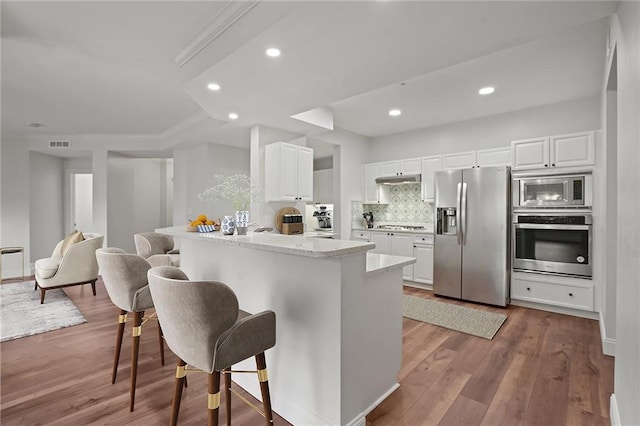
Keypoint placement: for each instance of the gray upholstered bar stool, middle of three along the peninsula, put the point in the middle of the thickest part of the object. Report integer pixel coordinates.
(125, 278)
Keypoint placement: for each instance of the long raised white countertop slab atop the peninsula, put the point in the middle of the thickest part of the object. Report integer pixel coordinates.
(290, 244)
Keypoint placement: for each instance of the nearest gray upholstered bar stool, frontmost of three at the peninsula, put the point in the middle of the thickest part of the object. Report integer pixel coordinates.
(204, 327)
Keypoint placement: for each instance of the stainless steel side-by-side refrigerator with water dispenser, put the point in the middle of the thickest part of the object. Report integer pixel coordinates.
(473, 234)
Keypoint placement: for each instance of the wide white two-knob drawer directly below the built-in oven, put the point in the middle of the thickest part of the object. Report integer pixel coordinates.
(557, 291)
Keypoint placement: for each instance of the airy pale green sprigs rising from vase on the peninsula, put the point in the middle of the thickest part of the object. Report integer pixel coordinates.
(239, 190)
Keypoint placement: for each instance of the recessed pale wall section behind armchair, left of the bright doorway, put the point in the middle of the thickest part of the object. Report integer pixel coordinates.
(46, 203)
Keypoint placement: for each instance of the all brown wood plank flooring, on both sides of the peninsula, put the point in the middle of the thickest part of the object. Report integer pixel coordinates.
(540, 369)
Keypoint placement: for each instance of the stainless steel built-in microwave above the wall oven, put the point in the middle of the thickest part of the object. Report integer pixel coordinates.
(552, 191)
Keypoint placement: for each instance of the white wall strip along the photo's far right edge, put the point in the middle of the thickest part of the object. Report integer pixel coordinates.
(626, 30)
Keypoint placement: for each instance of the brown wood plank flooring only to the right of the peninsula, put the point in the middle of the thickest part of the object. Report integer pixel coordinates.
(541, 368)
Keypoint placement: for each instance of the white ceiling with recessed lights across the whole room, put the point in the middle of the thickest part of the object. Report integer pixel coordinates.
(108, 68)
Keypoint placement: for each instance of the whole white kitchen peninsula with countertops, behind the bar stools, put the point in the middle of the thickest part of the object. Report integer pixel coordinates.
(338, 314)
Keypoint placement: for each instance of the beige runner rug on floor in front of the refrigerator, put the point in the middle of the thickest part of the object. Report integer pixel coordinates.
(467, 320)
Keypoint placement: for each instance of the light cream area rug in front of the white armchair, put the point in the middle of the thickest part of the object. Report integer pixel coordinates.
(21, 313)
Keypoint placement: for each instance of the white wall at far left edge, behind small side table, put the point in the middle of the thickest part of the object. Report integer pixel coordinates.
(14, 180)
